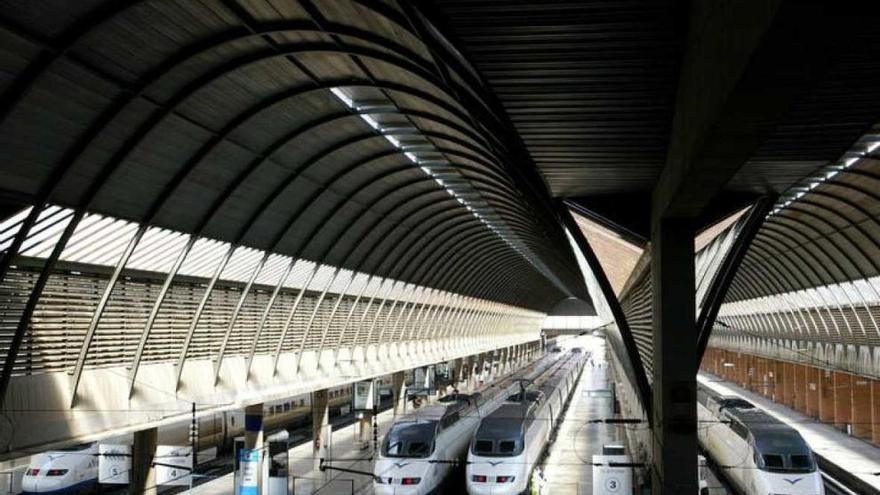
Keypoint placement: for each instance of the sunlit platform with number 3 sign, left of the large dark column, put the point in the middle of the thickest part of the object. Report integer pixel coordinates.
(567, 466)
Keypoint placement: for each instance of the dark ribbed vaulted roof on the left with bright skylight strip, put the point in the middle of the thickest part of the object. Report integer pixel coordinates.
(344, 132)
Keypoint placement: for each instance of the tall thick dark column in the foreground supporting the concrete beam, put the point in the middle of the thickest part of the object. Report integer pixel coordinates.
(674, 469)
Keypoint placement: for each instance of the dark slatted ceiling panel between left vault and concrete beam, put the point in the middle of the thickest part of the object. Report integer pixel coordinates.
(589, 85)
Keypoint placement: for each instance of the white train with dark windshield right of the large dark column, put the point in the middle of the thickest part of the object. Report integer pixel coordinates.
(758, 453)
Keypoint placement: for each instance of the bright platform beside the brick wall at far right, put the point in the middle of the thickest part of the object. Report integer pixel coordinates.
(851, 454)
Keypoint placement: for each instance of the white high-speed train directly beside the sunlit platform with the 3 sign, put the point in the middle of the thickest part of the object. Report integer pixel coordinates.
(509, 442)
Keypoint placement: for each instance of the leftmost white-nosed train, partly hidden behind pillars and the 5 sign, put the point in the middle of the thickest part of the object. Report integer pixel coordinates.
(75, 470)
